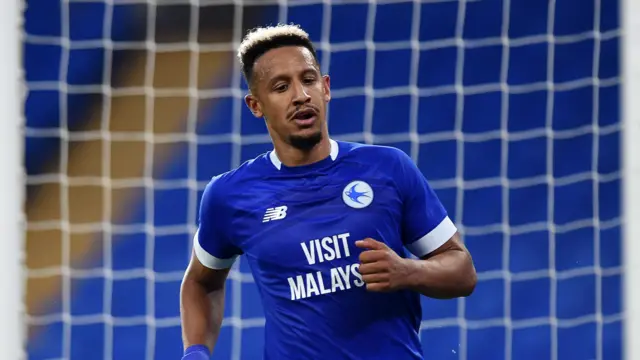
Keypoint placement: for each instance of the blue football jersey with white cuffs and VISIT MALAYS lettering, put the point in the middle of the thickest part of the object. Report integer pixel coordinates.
(297, 227)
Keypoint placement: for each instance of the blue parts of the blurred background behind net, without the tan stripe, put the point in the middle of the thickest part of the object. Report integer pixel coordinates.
(521, 142)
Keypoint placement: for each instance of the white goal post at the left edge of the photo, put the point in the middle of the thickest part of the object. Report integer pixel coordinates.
(11, 184)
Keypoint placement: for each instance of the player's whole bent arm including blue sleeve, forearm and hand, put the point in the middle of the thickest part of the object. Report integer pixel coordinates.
(443, 269)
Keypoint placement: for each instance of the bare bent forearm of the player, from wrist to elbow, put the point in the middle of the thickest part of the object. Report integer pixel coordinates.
(448, 275)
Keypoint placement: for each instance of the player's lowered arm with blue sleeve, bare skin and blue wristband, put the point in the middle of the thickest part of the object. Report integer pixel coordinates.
(203, 287)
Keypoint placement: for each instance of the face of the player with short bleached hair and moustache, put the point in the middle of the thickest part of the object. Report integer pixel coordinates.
(291, 94)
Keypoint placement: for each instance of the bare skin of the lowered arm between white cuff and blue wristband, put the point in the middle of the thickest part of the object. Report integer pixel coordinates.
(201, 314)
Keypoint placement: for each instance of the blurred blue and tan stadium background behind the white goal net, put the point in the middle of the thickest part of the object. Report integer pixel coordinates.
(510, 108)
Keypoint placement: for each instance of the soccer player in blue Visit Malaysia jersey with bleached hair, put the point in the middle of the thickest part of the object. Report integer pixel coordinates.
(324, 226)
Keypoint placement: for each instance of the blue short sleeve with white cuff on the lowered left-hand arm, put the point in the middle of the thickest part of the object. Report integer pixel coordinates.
(212, 244)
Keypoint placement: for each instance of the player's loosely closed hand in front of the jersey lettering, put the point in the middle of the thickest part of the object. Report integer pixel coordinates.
(381, 268)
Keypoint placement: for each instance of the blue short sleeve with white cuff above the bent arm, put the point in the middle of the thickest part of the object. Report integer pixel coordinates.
(425, 223)
